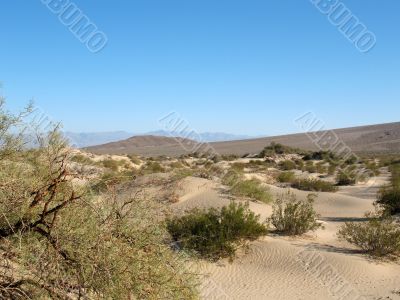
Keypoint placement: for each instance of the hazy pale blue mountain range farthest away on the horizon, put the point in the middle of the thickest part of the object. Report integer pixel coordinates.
(81, 140)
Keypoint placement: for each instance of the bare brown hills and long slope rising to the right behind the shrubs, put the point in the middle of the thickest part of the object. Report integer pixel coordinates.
(382, 138)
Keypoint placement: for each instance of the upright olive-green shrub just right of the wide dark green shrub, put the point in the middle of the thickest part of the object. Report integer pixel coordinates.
(294, 217)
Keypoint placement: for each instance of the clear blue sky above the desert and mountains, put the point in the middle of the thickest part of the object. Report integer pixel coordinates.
(246, 67)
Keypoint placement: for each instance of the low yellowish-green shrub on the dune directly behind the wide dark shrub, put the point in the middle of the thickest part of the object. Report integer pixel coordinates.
(253, 189)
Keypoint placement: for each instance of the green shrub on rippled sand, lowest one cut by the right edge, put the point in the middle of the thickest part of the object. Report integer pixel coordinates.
(378, 236)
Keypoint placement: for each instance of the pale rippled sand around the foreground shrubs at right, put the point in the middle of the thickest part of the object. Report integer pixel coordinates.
(315, 266)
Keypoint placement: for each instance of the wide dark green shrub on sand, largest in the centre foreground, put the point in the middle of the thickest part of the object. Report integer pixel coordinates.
(214, 234)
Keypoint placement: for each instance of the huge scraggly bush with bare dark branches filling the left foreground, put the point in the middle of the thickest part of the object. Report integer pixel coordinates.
(59, 241)
